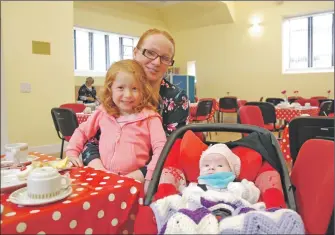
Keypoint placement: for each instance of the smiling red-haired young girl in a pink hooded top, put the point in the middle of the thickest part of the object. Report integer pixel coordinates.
(130, 127)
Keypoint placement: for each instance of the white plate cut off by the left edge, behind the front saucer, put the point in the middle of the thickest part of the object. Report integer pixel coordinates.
(9, 180)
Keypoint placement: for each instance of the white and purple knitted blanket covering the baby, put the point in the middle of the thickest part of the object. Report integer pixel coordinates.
(194, 212)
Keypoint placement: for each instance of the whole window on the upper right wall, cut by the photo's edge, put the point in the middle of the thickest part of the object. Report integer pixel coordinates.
(308, 44)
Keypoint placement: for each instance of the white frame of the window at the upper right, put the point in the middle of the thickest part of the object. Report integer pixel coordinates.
(286, 46)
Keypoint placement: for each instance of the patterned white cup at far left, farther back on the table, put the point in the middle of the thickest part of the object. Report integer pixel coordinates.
(17, 152)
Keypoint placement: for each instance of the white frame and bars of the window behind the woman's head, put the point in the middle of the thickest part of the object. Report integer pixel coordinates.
(91, 71)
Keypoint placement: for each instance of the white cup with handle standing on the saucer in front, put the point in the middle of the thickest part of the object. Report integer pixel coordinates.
(46, 182)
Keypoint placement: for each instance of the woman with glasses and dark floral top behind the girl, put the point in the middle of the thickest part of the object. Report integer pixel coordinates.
(154, 51)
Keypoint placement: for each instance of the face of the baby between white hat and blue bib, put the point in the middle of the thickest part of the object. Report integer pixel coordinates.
(214, 163)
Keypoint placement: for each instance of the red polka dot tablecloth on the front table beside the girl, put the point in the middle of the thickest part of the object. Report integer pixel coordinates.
(101, 203)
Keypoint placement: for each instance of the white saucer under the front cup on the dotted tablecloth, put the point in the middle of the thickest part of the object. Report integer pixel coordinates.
(20, 197)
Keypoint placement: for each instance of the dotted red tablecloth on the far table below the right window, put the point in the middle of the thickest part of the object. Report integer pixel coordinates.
(289, 113)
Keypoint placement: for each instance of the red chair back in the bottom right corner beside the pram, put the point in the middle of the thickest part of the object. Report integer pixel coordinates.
(313, 179)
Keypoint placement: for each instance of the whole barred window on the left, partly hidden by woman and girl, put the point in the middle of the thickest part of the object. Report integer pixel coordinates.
(95, 51)
